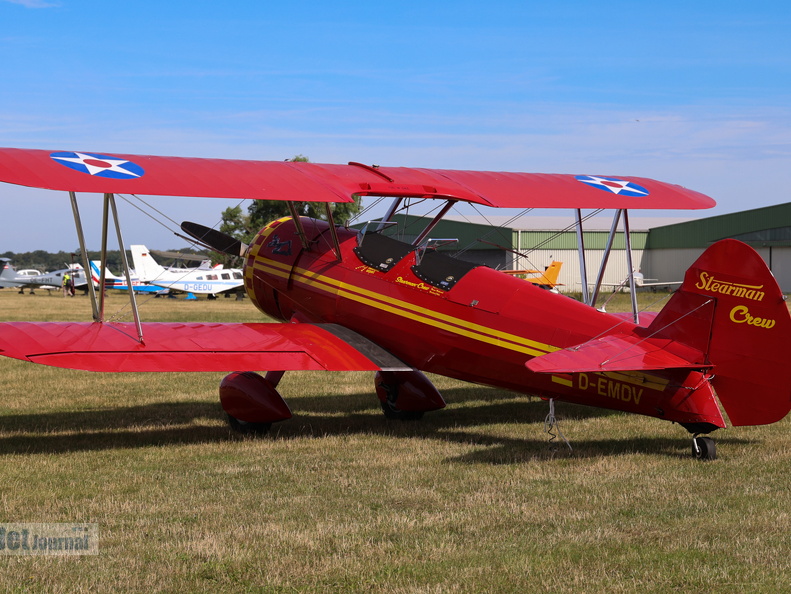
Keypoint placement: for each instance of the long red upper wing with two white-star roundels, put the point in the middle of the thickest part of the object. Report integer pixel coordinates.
(281, 180)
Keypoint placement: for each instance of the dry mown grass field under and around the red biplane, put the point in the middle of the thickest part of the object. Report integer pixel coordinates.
(470, 499)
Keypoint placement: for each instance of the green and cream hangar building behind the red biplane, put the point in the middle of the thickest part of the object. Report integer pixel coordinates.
(662, 248)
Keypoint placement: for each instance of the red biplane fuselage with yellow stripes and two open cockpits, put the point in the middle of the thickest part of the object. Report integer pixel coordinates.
(443, 316)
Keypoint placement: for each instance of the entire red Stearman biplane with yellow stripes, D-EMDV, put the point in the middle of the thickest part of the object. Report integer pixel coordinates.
(362, 300)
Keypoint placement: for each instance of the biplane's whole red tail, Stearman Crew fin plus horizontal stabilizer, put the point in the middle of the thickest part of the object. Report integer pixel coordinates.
(728, 320)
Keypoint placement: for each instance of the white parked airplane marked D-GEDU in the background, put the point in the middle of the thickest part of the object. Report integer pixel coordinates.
(208, 281)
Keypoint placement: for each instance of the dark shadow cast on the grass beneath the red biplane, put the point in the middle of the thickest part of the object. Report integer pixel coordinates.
(180, 423)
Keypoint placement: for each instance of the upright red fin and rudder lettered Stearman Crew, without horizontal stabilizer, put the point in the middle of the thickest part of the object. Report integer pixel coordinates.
(731, 309)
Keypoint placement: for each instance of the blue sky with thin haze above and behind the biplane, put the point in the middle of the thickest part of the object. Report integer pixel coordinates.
(694, 93)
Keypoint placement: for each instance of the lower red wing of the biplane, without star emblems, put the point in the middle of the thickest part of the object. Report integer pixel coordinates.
(193, 347)
